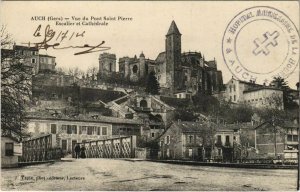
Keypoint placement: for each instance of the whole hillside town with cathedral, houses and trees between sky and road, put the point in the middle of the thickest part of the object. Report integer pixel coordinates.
(176, 107)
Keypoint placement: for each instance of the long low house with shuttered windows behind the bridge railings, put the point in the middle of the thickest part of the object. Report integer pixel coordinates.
(72, 129)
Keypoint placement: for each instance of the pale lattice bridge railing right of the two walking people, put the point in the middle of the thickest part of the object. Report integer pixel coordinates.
(121, 147)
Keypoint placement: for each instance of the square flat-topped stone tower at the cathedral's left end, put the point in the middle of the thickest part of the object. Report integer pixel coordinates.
(107, 64)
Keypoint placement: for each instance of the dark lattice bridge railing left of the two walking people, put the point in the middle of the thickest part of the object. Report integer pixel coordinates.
(41, 148)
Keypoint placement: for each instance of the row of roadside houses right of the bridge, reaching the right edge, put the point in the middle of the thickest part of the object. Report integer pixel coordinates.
(244, 142)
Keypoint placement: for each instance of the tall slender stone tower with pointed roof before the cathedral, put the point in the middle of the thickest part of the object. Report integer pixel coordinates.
(173, 56)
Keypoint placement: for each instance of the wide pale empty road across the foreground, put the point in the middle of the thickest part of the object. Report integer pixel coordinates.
(107, 174)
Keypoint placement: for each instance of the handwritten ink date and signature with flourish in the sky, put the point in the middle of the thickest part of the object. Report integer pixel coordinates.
(49, 35)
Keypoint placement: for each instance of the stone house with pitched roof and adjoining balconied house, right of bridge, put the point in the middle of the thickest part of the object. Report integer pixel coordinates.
(202, 141)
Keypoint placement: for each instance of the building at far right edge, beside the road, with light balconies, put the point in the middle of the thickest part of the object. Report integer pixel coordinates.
(277, 141)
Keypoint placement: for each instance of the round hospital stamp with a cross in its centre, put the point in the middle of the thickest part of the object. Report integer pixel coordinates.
(261, 43)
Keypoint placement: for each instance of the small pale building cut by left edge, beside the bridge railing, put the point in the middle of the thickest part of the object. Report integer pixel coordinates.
(11, 150)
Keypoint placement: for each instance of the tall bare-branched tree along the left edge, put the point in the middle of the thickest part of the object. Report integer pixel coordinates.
(15, 89)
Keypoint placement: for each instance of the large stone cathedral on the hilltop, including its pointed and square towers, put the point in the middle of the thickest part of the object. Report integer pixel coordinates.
(175, 71)
